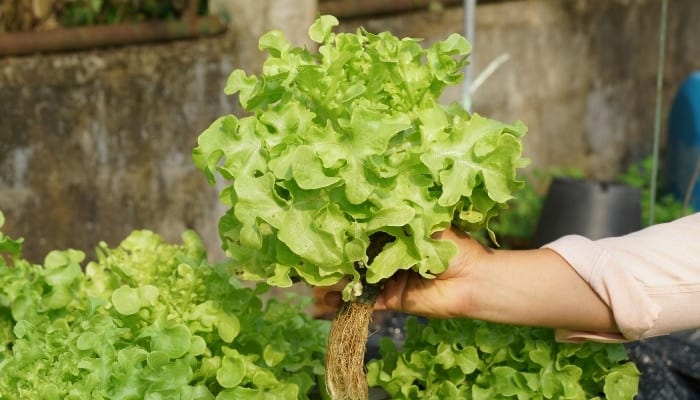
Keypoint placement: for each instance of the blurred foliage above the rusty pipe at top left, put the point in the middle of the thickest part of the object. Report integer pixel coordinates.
(36, 15)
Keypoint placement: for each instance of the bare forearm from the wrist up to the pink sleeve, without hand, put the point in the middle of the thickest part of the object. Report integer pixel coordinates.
(536, 288)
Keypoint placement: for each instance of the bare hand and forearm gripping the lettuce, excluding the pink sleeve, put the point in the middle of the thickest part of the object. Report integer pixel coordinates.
(523, 287)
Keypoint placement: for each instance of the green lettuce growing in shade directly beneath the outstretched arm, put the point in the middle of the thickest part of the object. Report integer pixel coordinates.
(475, 360)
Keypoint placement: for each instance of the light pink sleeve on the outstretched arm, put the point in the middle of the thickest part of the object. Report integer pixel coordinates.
(650, 279)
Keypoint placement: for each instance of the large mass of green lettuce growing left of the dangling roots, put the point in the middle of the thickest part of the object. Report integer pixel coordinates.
(148, 320)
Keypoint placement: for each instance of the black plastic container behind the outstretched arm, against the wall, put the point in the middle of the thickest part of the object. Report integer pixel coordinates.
(588, 208)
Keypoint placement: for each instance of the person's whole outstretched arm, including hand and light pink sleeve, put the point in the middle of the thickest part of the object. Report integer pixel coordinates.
(640, 285)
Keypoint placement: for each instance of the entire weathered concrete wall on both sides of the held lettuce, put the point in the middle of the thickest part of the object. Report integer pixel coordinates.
(94, 144)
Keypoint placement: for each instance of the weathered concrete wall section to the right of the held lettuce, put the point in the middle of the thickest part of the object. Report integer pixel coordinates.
(581, 73)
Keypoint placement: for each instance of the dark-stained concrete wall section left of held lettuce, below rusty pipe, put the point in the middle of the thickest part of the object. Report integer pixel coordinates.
(95, 144)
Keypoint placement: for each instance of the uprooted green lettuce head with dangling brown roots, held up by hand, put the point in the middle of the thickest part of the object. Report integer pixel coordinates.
(346, 167)
